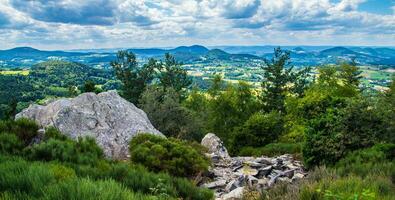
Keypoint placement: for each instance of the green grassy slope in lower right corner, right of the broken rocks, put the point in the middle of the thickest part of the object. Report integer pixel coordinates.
(362, 175)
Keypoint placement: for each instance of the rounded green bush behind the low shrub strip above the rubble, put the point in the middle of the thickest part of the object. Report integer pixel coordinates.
(259, 130)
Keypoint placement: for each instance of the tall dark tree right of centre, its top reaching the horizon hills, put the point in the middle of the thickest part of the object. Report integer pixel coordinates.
(280, 79)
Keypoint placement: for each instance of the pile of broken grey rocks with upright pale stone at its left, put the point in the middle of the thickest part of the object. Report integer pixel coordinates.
(230, 175)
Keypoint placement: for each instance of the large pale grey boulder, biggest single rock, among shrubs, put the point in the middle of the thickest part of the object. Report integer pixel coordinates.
(107, 117)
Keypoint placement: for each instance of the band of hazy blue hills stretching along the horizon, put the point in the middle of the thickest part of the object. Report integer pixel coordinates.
(300, 55)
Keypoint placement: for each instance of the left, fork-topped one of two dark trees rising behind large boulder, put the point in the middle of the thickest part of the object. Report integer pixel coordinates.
(134, 78)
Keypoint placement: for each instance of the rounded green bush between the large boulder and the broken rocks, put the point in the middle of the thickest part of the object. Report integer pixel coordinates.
(173, 156)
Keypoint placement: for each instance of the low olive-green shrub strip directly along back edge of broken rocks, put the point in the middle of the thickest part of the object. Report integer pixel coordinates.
(273, 149)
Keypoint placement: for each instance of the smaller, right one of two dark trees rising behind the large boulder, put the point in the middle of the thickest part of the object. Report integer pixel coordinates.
(172, 75)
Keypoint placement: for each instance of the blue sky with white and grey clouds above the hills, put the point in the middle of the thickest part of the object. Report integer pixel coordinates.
(89, 24)
